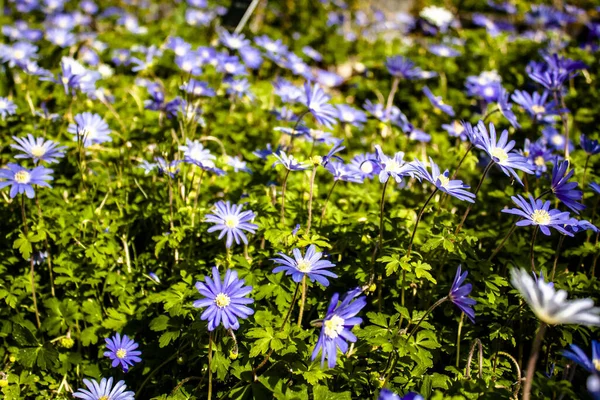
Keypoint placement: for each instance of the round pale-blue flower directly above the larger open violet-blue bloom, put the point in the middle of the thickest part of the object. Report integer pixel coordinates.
(230, 220)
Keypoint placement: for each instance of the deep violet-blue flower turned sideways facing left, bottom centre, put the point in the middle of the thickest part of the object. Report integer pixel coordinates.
(337, 325)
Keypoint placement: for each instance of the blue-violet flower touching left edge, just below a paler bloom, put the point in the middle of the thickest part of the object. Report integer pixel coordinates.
(22, 179)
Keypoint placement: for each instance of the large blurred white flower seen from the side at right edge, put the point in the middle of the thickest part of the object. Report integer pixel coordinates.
(551, 306)
